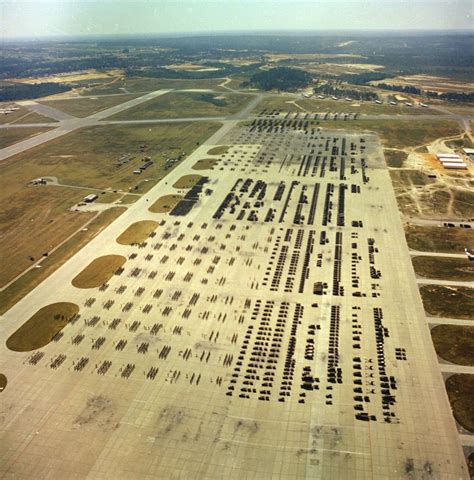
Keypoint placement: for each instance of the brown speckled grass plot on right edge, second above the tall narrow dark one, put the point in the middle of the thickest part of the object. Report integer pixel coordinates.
(450, 302)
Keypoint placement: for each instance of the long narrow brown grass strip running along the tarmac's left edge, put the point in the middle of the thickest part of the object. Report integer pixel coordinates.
(52, 262)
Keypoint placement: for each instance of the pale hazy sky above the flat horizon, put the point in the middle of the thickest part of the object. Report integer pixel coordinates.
(20, 18)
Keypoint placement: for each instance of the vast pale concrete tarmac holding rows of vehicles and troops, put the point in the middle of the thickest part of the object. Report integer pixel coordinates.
(249, 344)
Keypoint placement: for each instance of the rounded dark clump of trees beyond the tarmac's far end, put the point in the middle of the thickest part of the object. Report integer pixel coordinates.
(282, 78)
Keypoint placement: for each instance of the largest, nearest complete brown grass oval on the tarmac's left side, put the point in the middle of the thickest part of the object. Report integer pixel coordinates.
(40, 329)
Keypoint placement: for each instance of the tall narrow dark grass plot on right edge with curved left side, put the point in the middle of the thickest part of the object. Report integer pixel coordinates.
(460, 388)
